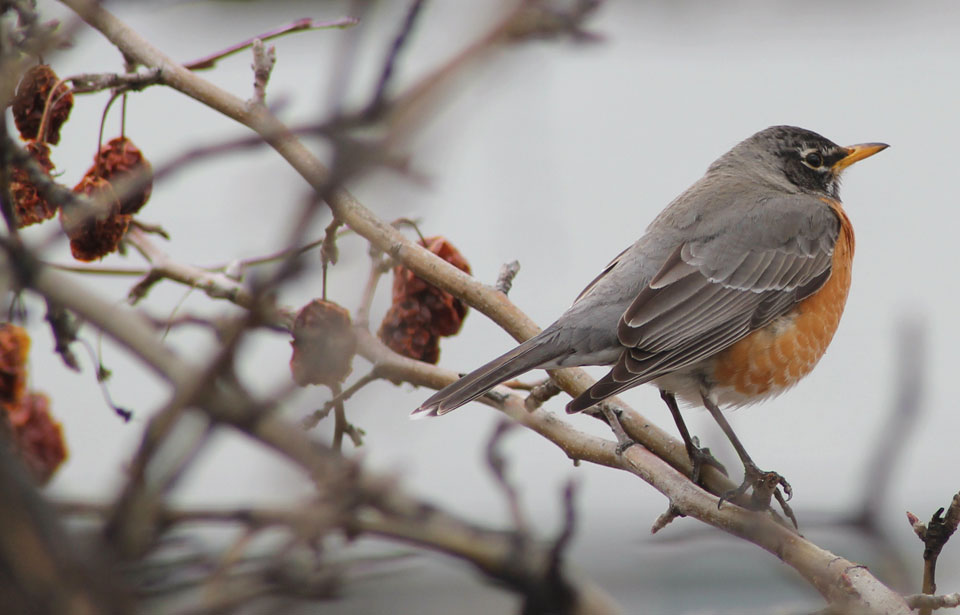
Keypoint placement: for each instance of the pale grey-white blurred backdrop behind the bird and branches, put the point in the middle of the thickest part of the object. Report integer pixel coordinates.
(559, 155)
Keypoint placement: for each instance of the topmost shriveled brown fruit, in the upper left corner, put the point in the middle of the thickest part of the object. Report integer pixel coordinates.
(31, 99)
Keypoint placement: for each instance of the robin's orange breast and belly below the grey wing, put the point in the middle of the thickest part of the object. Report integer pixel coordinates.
(778, 355)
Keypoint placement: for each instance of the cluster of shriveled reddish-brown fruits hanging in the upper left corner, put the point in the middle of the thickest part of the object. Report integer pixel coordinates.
(43, 102)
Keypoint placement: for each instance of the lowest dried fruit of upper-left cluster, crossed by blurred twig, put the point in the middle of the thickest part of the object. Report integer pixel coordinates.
(94, 234)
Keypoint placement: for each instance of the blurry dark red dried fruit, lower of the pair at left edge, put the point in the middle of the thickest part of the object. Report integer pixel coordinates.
(38, 437)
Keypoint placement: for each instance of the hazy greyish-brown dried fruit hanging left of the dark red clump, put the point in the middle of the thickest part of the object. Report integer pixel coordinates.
(323, 344)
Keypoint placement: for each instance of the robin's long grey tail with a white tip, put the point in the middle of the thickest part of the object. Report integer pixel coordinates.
(533, 353)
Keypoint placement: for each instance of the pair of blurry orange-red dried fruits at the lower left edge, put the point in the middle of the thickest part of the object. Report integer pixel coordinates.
(37, 437)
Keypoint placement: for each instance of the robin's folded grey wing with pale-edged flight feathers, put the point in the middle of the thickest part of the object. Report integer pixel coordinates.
(733, 277)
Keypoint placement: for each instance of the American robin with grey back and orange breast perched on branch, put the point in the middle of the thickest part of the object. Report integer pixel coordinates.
(730, 297)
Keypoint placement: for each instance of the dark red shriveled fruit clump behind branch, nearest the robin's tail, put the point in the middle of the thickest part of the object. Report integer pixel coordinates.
(421, 313)
